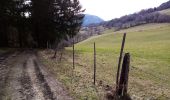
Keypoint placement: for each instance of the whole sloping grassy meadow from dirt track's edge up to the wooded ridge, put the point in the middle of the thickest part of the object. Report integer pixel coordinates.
(149, 78)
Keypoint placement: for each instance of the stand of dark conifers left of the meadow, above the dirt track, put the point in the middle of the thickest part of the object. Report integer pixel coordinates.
(36, 23)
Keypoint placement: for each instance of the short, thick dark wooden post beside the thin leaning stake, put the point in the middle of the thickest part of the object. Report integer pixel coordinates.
(123, 82)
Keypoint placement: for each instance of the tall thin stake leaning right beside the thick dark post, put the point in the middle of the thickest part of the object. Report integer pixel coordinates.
(120, 59)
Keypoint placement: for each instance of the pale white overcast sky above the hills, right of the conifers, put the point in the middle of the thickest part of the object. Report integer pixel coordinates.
(110, 9)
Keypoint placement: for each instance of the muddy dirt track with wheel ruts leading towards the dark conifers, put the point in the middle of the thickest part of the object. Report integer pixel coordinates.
(23, 77)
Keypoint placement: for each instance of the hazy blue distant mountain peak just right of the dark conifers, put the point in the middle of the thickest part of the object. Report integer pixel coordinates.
(91, 19)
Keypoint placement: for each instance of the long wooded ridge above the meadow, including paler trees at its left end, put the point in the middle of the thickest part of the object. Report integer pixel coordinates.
(159, 14)
